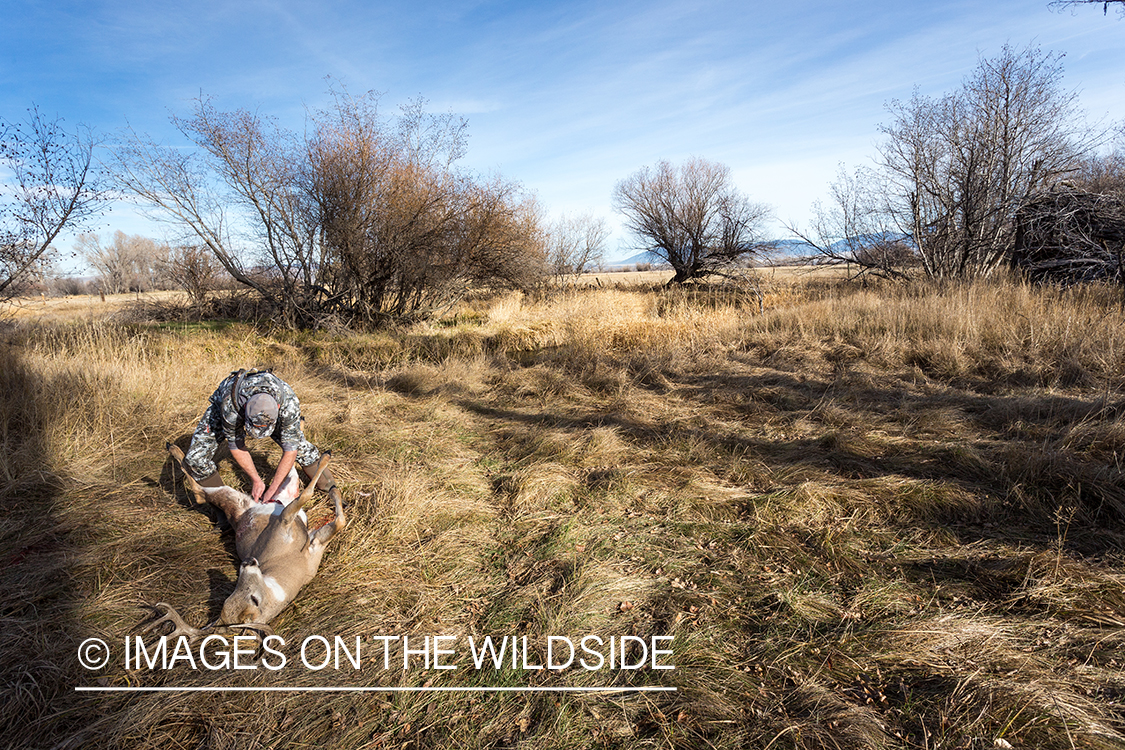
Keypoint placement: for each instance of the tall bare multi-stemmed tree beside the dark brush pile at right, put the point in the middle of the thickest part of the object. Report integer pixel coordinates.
(960, 167)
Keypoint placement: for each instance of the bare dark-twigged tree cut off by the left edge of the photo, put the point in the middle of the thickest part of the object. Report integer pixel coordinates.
(52, 184)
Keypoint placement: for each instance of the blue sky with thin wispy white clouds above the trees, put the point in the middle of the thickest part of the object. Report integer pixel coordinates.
(568, 98)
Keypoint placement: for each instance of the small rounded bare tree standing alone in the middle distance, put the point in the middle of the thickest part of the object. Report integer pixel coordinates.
(692, 216)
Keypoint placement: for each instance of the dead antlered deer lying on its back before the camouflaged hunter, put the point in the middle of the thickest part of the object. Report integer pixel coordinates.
(278, 555)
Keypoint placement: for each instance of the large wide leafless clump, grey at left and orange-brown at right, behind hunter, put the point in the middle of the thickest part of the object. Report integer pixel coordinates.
(364, 218)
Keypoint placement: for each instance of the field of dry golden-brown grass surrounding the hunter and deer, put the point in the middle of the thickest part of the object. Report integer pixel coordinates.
(868, 518)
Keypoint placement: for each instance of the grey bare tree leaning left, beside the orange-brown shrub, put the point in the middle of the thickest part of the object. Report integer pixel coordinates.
(239, 194)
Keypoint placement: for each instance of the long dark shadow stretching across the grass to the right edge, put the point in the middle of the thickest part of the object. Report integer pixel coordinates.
(1002, 450)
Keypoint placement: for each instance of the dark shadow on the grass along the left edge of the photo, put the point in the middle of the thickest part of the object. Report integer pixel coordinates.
(41, 624)
